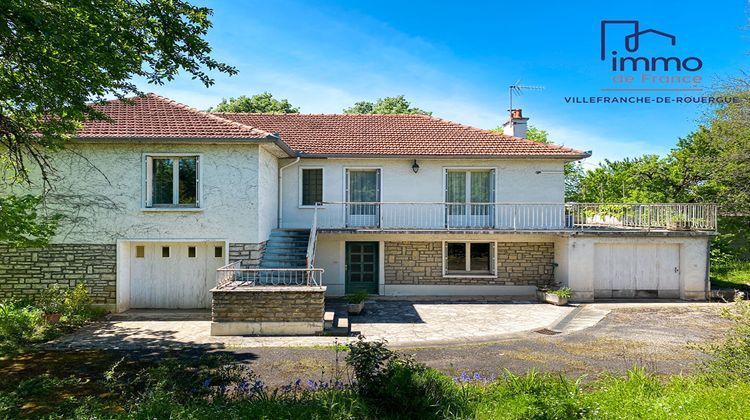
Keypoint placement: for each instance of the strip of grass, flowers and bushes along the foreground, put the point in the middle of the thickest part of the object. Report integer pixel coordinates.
(369, 380)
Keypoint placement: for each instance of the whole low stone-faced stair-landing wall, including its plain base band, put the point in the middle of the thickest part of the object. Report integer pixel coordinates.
(267, 310)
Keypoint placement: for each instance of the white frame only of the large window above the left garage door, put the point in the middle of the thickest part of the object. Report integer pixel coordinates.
(147, 196)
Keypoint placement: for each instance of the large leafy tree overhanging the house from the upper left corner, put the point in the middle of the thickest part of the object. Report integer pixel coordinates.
(58, 57)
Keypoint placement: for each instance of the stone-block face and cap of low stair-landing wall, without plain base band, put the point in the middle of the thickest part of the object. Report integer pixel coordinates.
(269, 304)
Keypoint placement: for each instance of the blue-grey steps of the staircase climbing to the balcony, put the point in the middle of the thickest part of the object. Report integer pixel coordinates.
(286, 248)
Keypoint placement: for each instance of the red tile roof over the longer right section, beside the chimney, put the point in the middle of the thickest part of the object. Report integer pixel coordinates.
(401, 135)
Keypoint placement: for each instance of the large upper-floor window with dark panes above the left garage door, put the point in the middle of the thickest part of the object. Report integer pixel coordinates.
(172, 181)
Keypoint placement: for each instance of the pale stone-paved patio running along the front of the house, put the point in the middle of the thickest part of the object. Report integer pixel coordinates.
(402, 323)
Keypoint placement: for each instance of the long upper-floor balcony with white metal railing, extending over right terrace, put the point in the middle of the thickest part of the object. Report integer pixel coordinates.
(514, 216)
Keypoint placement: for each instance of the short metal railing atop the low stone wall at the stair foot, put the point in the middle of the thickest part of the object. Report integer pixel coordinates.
(233, 276)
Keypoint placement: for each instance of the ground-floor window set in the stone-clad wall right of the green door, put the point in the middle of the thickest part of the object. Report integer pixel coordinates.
(462, 258)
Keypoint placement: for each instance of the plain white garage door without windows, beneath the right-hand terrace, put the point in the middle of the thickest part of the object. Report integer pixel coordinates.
(636, 270)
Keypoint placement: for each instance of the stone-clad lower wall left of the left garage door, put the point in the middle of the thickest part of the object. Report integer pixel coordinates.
(25, 272)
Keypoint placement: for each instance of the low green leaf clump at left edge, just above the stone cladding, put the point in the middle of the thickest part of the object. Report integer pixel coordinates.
(21, 225)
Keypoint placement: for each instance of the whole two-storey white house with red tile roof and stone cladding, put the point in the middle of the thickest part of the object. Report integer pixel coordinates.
(397, 205)
